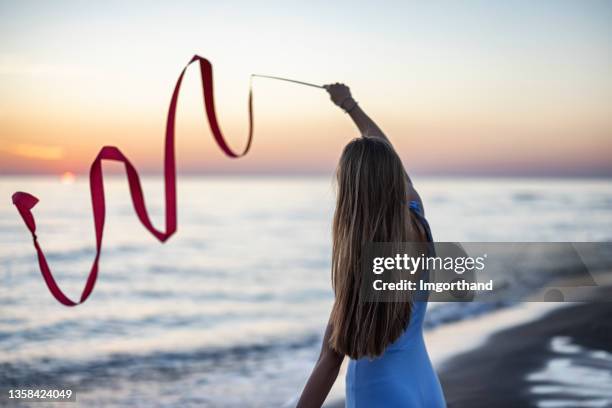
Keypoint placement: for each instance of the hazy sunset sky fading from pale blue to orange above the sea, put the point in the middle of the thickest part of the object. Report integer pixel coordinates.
(491, 88)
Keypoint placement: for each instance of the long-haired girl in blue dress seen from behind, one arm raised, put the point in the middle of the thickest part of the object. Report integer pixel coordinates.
(389, 365)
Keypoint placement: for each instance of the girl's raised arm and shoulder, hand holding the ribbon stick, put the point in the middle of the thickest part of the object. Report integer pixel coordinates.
(340, 95)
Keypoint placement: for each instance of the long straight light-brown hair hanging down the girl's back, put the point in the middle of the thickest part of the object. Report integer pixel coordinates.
(371, 207)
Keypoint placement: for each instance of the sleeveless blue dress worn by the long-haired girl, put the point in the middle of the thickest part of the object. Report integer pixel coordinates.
(403, 375)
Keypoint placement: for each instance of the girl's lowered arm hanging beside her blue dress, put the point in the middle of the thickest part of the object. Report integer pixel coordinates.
(323, 375)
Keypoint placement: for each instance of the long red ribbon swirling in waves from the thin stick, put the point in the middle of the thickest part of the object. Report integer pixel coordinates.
(25, 202)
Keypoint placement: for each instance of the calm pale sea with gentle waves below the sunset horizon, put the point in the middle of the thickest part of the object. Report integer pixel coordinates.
(229, 312)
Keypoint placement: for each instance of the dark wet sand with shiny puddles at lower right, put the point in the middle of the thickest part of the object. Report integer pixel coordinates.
(563, 359)
